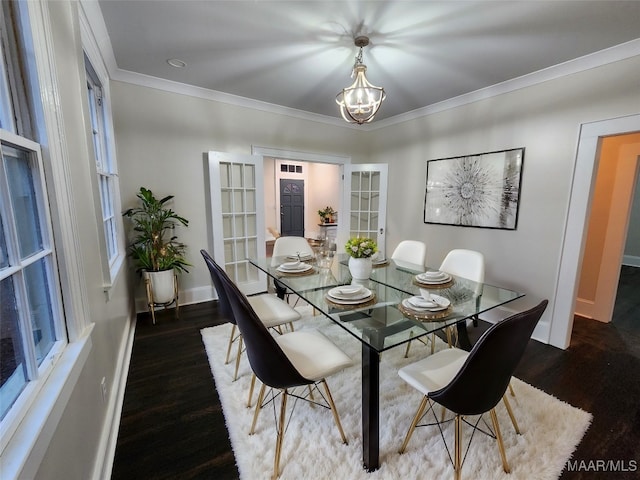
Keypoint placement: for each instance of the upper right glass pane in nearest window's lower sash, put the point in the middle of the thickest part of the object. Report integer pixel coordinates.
(23, 200)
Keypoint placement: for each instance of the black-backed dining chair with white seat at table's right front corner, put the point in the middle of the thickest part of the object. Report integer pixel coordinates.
(472, 383)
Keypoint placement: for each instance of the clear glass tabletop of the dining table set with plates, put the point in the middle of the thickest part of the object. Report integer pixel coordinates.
(385, 319)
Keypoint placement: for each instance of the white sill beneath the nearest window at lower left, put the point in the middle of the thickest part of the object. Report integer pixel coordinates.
(25, 450)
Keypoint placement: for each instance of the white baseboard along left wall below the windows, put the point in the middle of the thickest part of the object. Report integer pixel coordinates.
(109, 438)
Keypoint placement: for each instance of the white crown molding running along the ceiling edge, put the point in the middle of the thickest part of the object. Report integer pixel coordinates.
(586, 62)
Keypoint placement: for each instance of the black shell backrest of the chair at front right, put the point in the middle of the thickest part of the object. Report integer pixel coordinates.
(485, 375)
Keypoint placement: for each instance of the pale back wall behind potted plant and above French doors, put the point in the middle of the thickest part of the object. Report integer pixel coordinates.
(160, 141)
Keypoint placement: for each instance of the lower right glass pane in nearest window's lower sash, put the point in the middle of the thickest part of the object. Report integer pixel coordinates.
(37, 285)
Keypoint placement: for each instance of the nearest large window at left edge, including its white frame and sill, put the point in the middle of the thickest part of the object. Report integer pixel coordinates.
(43, 346)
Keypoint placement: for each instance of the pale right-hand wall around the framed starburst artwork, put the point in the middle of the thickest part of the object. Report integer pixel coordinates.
(545, 119)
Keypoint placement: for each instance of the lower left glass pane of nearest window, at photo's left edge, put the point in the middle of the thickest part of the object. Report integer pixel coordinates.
(13, 370)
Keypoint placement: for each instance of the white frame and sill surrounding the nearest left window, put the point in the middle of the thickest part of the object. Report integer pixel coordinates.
(28, 429)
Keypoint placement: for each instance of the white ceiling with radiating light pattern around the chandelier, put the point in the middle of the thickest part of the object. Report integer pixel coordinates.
(299, 54)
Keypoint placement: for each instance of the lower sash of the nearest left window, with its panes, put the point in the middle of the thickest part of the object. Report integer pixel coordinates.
(30, 312)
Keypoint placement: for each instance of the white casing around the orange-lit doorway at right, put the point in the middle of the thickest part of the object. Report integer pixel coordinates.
(587, 157)
